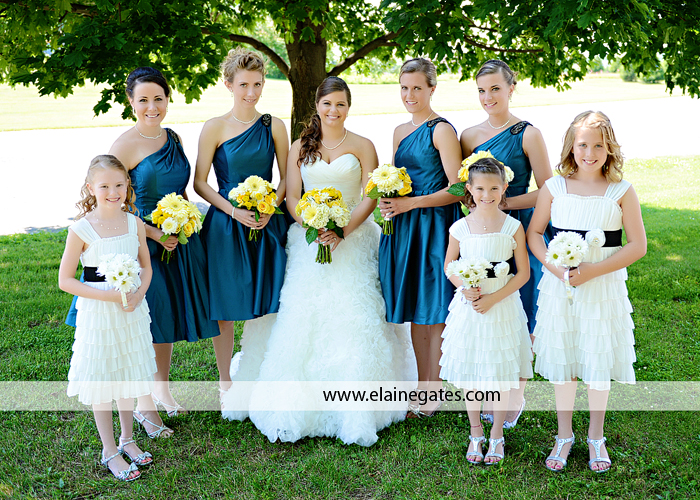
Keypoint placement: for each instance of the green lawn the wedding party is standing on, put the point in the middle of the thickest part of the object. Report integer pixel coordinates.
(54, 454)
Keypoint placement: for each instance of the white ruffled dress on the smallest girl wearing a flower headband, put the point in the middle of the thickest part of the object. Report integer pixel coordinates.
(492, 351)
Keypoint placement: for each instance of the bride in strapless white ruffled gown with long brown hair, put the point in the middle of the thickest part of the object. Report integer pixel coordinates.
(331, 322)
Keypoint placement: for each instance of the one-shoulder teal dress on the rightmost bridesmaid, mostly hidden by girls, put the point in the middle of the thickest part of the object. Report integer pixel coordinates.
(507, 147)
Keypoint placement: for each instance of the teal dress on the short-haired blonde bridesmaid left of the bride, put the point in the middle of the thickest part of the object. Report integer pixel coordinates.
(245, 277)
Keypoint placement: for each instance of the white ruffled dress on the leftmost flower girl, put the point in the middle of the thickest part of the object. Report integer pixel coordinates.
(113, 354)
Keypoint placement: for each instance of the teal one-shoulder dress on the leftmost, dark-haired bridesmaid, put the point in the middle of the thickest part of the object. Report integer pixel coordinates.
(178, 296)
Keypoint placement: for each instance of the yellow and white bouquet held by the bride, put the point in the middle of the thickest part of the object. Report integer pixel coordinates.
(323, 209)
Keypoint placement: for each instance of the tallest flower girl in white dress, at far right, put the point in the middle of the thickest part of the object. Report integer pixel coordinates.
(588, 336)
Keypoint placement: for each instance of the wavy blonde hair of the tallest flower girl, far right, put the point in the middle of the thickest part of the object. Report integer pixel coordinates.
(612, 169)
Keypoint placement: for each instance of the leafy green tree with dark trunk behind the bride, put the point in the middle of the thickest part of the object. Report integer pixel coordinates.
(57, 44)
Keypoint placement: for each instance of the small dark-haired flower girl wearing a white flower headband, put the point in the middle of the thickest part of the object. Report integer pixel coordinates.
(486, 344)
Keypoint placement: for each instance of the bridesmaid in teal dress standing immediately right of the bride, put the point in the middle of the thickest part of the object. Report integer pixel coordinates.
(411, 260)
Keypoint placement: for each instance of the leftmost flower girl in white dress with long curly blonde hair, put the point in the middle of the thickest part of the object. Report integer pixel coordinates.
(113, 358)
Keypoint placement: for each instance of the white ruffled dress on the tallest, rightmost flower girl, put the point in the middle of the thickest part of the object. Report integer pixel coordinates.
(592, 339)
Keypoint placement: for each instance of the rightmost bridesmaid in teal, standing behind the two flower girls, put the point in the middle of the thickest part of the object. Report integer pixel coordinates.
(520, 146)
